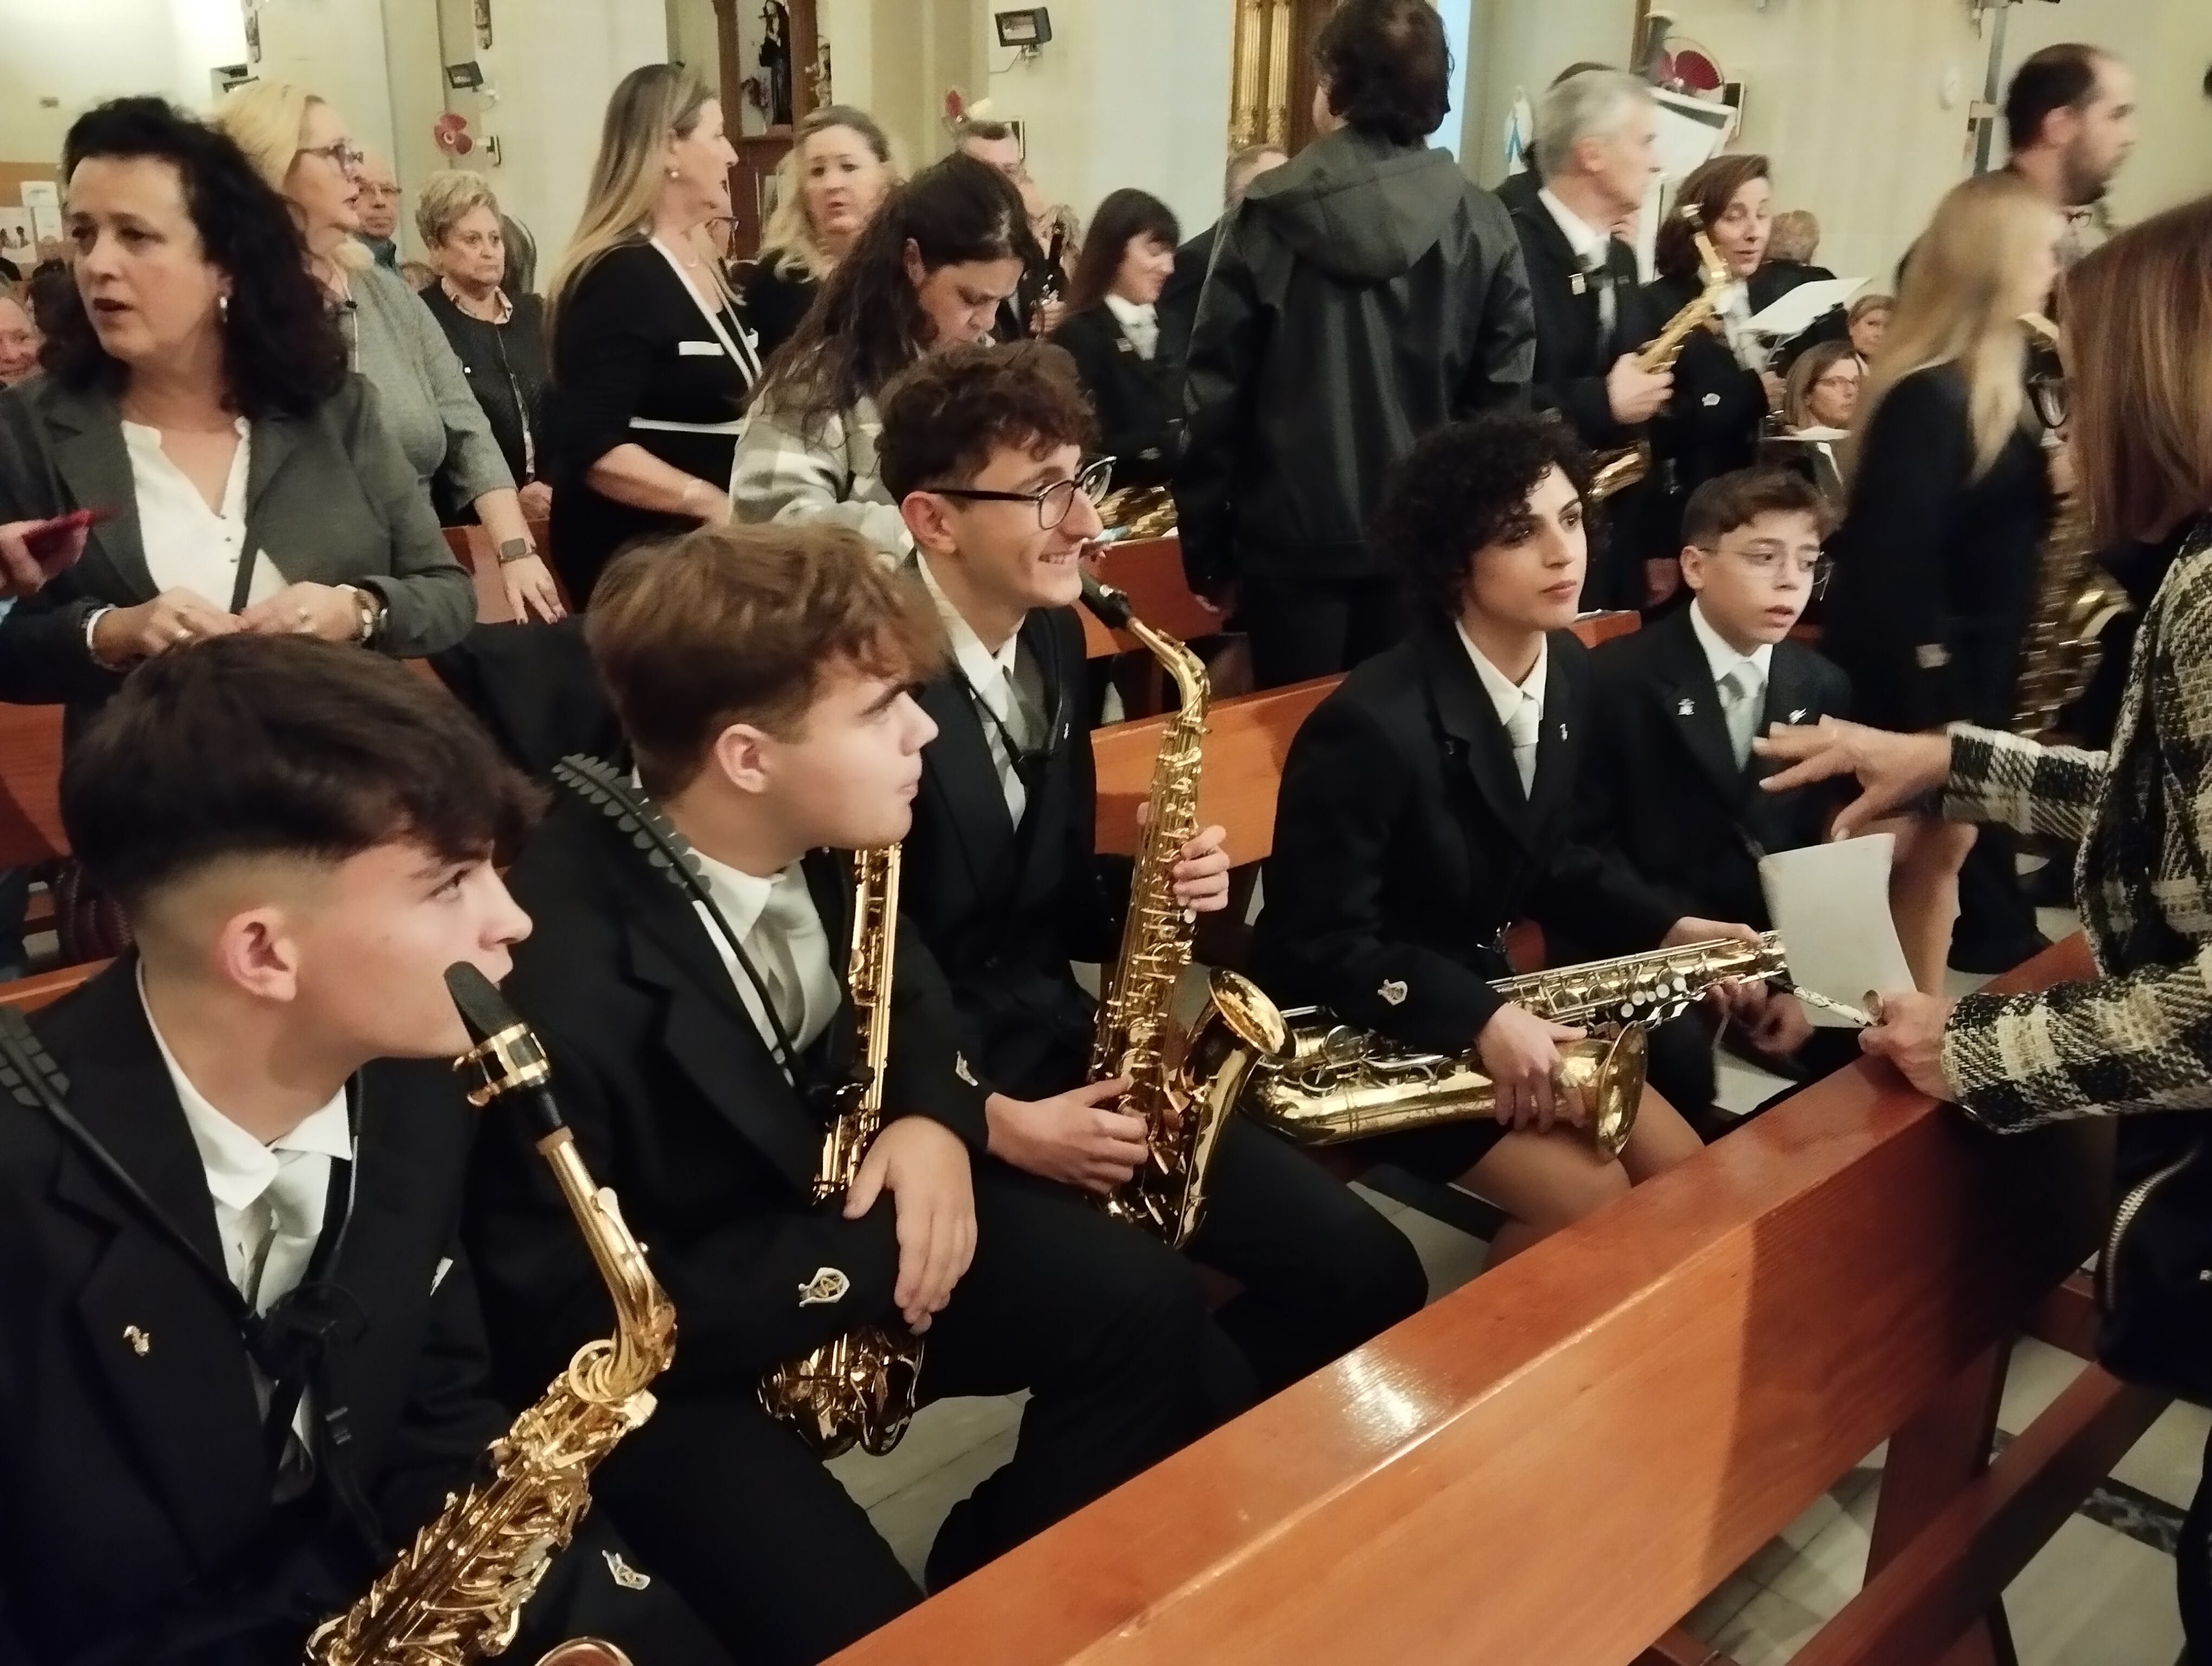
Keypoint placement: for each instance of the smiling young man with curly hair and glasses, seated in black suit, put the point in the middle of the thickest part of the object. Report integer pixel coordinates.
(983, 448)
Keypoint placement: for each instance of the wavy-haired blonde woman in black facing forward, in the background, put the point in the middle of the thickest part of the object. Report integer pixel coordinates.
(828, 189)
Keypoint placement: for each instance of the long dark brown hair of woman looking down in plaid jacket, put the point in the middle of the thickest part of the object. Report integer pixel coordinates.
(868, 322)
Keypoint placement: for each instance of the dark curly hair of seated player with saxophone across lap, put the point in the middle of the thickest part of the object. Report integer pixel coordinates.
(1459, 490)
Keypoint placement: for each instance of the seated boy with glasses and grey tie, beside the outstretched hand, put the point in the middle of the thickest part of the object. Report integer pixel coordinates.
(1673, 784)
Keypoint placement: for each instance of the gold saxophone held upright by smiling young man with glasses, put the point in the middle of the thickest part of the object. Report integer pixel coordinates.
(1182, 1083)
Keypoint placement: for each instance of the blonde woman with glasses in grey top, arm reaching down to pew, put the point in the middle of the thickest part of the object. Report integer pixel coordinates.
(300, 145)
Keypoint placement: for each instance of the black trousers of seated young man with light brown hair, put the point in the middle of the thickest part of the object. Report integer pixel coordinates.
(1100, 1324)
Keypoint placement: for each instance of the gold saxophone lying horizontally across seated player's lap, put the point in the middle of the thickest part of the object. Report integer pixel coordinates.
(1346, 1083)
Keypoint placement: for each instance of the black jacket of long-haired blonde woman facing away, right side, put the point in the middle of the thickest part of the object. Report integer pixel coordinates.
(1934, 568)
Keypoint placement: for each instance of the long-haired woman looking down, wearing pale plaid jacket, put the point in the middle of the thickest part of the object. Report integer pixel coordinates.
(928, 273)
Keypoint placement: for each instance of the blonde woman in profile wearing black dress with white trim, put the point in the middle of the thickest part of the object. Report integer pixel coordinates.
(651, 362)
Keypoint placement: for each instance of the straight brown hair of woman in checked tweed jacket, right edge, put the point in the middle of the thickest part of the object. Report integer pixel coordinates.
(2140, 368)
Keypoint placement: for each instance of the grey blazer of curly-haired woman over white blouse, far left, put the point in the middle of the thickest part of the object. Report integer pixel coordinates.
(328, 499)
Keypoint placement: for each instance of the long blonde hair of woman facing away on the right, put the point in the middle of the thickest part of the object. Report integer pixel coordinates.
(1961, 306)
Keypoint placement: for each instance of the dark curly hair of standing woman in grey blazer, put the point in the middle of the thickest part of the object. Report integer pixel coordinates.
(282, 348)
